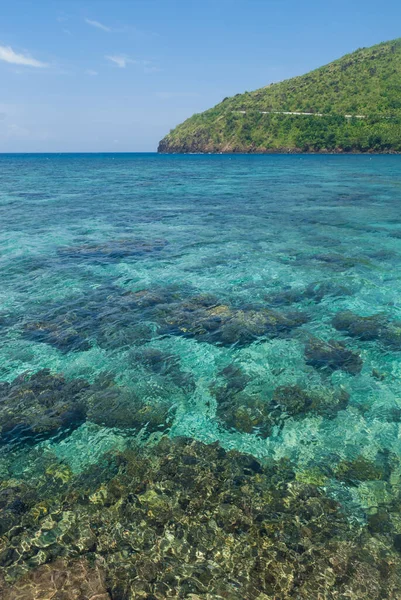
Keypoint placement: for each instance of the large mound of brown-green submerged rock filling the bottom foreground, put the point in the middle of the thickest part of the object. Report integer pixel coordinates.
(190, 520)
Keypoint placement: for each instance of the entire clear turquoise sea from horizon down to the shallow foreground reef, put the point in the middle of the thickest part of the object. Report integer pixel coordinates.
(200, 376)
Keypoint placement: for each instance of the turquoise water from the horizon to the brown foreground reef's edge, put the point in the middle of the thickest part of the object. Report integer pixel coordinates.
(220, 298)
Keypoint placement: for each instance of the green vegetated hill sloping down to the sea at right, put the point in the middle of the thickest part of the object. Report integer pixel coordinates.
(366, 83)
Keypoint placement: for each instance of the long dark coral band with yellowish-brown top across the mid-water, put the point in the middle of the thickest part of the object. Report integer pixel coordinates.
(114, 317)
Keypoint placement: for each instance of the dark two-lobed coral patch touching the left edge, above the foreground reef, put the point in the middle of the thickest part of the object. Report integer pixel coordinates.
(37, 406)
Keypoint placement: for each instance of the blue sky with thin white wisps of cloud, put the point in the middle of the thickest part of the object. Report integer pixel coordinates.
(116, 76)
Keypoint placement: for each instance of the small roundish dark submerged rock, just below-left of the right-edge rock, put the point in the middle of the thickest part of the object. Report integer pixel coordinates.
(332, 355)
